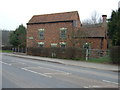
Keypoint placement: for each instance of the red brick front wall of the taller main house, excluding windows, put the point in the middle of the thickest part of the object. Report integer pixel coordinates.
(51, 33)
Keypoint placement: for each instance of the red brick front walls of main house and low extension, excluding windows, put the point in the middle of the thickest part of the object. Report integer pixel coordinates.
(52, 35)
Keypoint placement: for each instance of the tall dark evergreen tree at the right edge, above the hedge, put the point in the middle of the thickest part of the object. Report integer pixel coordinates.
(114, 27)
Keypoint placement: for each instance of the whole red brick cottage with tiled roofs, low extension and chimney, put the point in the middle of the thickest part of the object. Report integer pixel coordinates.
(65, 30)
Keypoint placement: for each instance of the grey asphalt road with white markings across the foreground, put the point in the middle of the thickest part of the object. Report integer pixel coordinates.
(27, 73)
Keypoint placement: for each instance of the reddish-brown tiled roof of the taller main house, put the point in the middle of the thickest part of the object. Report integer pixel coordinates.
(66, 16)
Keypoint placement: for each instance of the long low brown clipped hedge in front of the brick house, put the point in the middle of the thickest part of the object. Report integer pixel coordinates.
(69, 53)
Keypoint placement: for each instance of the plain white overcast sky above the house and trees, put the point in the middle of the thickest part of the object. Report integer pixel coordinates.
(16, 12)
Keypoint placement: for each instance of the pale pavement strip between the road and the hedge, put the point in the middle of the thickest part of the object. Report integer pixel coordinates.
(69, 62)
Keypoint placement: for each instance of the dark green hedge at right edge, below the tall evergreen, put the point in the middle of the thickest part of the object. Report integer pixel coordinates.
(115, 54)
